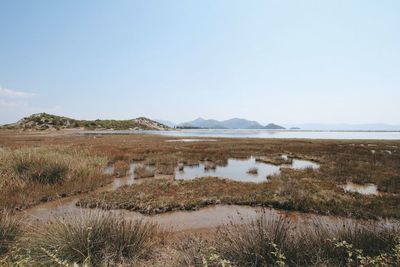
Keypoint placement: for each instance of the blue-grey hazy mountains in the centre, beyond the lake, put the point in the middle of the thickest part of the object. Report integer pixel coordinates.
(235, 123)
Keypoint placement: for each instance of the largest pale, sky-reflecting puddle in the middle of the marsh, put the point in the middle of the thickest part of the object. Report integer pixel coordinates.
(237, 170)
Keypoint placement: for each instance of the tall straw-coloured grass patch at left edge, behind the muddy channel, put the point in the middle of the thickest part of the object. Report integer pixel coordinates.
(30, 175)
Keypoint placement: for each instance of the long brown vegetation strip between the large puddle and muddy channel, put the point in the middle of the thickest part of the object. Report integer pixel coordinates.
(283, 192)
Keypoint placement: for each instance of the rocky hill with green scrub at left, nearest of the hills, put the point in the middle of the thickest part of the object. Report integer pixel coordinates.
(44, 121)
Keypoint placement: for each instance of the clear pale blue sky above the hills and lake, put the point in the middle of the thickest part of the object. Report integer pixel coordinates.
(280, 61)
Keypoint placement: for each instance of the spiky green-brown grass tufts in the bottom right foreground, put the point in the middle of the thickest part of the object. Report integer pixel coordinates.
(267, 241)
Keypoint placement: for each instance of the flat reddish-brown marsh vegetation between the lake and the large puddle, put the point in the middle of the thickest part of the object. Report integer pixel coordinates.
(340, 161)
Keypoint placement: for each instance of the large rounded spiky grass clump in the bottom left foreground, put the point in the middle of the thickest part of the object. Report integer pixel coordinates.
(93, 238)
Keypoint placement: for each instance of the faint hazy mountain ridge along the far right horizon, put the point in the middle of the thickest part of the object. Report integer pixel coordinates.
(344, 127)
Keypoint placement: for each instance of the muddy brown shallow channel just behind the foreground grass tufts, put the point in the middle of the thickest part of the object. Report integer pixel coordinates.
(207, 218)
